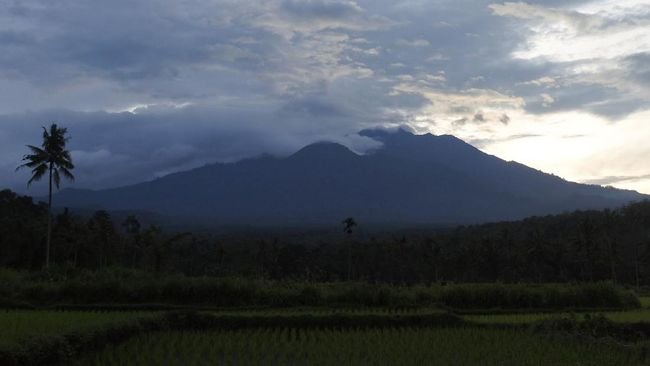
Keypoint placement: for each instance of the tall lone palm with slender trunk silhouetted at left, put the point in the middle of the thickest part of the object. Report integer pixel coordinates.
(52, 158)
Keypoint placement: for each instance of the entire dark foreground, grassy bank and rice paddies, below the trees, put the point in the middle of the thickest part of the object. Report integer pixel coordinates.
(148, 320)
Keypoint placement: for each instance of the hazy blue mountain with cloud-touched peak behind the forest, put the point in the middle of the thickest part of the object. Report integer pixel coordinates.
(411, 179)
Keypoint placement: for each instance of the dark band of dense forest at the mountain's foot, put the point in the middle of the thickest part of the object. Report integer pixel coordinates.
(580, 246)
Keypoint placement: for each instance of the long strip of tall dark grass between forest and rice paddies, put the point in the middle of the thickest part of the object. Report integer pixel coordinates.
(117, 287)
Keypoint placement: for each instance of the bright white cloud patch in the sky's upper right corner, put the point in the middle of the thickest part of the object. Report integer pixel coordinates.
(592, 45)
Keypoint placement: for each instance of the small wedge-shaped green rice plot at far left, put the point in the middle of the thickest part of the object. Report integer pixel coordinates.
(19, 325)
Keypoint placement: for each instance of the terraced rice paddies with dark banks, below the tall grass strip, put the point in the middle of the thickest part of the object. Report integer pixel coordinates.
(321, 337)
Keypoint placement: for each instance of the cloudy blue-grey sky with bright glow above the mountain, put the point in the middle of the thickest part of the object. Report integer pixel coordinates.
(147, 88)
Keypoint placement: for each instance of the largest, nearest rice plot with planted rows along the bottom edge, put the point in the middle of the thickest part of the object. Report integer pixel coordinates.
(460, 346)
